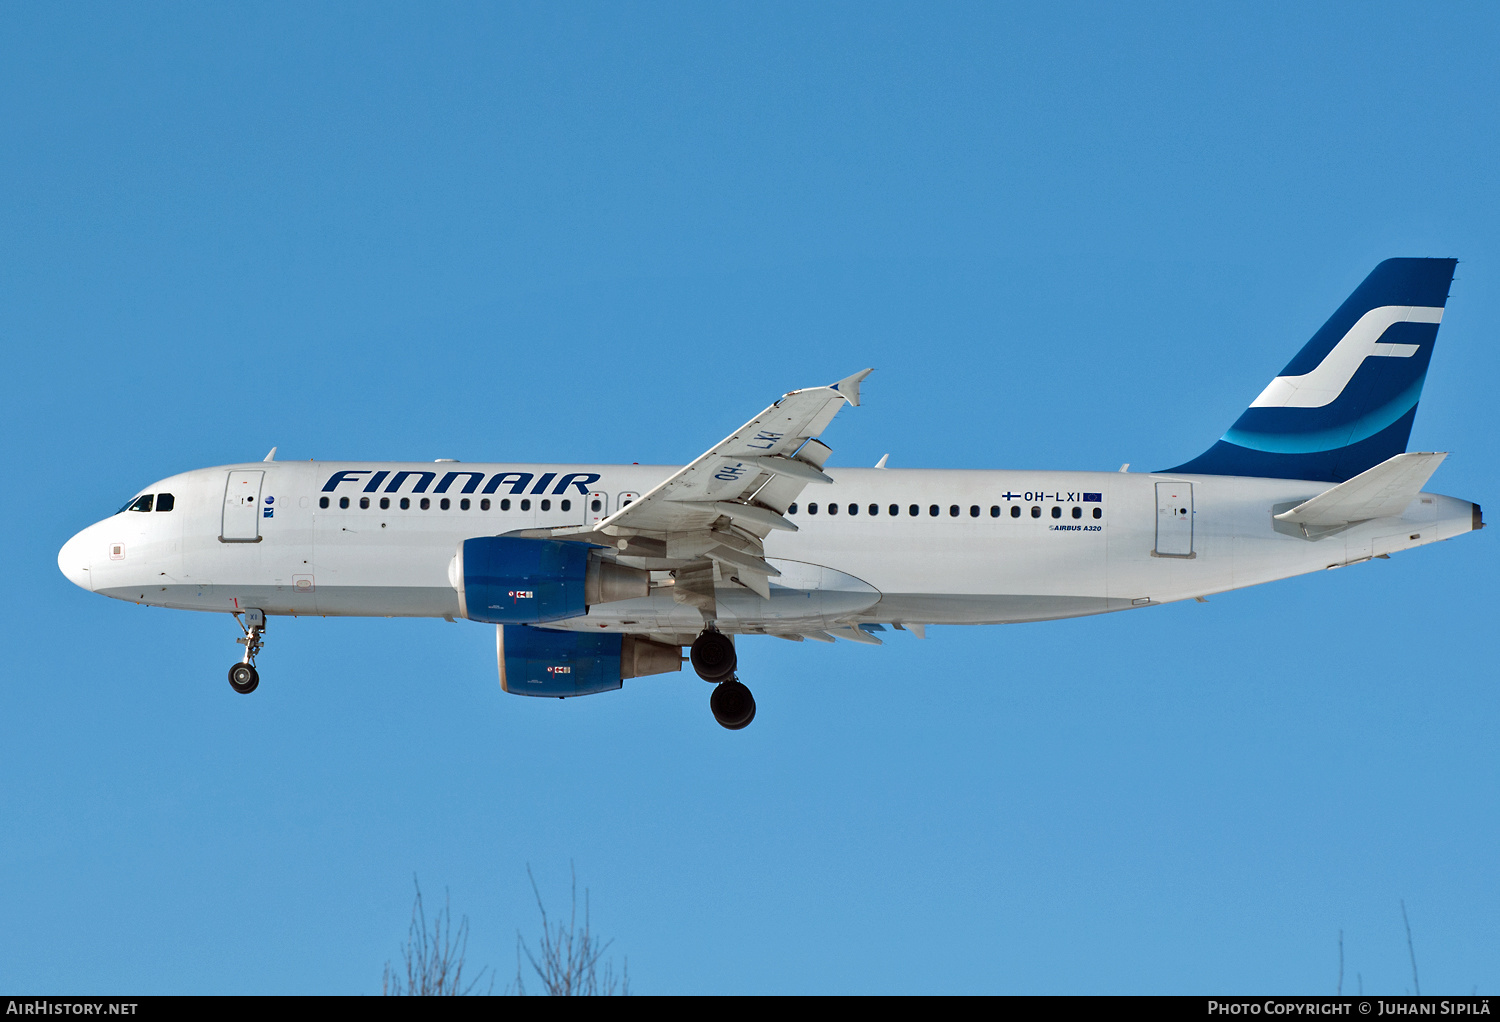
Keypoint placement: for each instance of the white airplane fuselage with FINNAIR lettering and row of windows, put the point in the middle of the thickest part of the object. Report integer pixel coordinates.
(926, 547)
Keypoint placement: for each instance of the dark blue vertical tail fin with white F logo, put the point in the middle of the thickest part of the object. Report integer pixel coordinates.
(1348, 400)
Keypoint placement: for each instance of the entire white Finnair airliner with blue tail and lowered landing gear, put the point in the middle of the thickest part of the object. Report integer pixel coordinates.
(598, 574)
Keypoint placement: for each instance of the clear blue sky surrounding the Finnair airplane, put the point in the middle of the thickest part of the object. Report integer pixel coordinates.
(1066, 236)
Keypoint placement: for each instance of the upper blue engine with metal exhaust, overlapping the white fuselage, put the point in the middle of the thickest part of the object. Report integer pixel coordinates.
(509, 580)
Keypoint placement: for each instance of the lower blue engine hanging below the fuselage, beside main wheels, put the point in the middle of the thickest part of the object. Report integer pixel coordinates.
(566, 664)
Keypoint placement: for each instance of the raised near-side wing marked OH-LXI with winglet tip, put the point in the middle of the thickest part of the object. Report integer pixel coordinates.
(751, 476)
